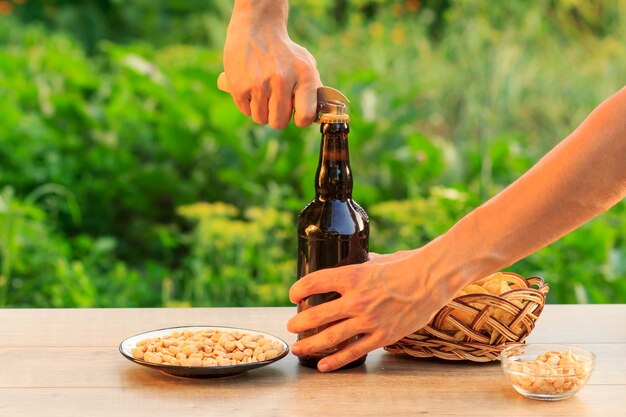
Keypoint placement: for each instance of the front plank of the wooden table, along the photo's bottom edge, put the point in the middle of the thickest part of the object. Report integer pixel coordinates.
(323, 399)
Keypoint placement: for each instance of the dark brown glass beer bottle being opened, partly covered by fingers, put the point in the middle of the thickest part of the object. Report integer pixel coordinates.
(333, 230)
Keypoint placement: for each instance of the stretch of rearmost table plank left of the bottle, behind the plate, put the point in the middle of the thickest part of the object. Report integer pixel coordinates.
(108, 327)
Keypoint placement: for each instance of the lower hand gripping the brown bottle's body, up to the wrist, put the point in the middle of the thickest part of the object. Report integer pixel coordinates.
(383, 300)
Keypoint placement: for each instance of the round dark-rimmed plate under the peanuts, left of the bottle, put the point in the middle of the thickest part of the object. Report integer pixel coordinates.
(199, 371)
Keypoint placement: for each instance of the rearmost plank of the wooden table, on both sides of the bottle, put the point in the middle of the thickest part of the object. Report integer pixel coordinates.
(75, 327)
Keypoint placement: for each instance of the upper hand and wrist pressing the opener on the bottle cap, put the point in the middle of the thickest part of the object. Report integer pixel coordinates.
(267, 74)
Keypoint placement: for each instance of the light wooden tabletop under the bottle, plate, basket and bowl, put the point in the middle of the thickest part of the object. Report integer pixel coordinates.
(66, 363)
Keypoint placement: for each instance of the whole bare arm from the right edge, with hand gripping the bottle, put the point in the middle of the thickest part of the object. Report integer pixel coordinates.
(393, 295)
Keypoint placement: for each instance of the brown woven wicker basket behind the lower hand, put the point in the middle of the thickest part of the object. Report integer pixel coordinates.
(477, 327)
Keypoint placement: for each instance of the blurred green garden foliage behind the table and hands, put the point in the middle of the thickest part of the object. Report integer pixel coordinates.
(127, 179)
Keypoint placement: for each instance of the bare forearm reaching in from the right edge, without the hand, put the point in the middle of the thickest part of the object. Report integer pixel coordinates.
(580, 178)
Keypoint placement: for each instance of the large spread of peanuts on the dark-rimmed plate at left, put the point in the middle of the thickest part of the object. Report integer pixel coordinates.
(209, 347)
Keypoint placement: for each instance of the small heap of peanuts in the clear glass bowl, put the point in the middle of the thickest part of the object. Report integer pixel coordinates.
(553, 372)
